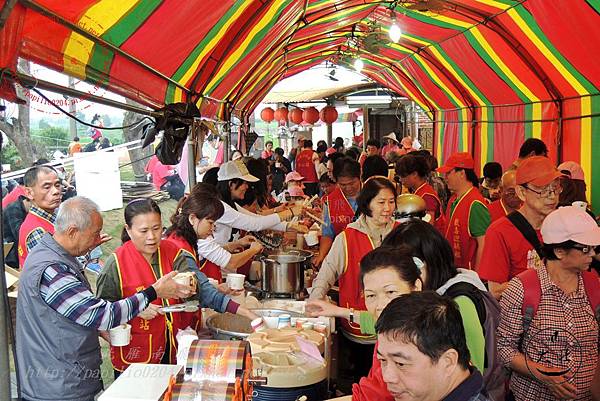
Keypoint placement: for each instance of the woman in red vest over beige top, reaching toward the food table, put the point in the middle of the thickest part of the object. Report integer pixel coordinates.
(376, 206)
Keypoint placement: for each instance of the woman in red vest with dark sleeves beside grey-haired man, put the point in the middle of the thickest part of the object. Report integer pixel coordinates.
(142, 259)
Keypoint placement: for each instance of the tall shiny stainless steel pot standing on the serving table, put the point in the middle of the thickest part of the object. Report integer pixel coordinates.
(283, 273)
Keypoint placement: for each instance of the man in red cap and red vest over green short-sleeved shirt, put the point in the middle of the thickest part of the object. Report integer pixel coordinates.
(467, 217)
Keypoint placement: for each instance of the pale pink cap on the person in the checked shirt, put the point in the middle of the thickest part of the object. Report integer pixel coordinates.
(570, 223)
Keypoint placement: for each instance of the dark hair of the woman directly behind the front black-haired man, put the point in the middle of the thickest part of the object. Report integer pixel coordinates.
(398, 258)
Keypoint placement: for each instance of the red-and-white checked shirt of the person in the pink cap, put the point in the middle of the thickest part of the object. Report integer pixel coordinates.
(563, 335)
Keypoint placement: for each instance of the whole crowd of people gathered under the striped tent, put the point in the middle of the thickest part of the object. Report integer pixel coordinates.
(451, 286)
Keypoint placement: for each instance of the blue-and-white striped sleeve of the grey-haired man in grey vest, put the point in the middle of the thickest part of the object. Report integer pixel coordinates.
(65, 293)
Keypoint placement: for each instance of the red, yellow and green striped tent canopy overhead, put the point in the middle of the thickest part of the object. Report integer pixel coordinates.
(490, 73)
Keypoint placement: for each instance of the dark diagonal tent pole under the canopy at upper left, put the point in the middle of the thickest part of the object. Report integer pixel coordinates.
(99, 41)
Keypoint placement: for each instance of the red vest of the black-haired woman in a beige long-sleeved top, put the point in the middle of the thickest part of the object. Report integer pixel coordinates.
(358, 244)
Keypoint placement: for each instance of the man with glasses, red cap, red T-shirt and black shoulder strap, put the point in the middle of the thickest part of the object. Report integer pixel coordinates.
(507, 251)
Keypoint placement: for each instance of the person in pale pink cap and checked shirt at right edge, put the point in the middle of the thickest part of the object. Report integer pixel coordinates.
(555, 357)
